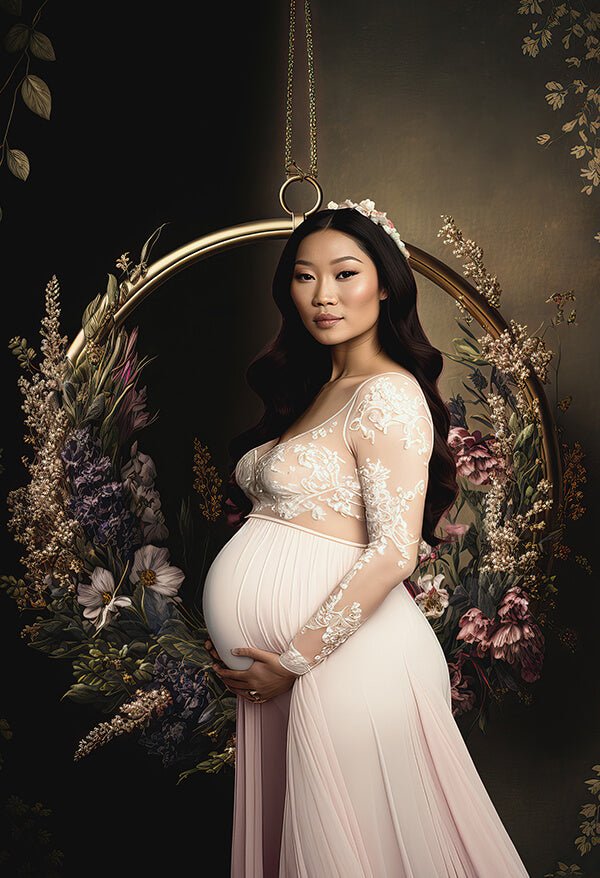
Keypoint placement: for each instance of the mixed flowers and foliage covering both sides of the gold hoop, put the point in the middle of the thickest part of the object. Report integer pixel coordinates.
(98, 565)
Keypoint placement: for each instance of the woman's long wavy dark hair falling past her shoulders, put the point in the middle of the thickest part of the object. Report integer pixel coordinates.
(292, 368)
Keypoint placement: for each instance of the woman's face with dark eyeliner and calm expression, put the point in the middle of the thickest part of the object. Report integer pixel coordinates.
(333, 275)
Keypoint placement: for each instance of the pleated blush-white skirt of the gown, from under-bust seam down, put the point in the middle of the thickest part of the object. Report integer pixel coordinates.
(359, 770)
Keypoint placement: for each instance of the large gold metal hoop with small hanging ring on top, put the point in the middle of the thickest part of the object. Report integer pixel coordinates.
(444, 277)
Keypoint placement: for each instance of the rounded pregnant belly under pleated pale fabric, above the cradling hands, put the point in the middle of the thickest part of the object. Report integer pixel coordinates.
(264, 584)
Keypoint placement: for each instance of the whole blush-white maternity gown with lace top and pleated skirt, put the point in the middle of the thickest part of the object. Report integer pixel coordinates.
(359, 770)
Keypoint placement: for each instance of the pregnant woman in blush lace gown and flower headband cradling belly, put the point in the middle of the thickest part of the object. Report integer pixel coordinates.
(349, 763)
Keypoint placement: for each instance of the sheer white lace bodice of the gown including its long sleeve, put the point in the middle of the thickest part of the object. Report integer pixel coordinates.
(360, 476)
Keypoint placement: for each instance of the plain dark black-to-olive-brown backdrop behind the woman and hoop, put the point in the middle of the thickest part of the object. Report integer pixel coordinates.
(176, 114)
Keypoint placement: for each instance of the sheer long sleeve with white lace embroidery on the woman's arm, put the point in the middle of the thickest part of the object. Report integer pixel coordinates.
(390, 433)
